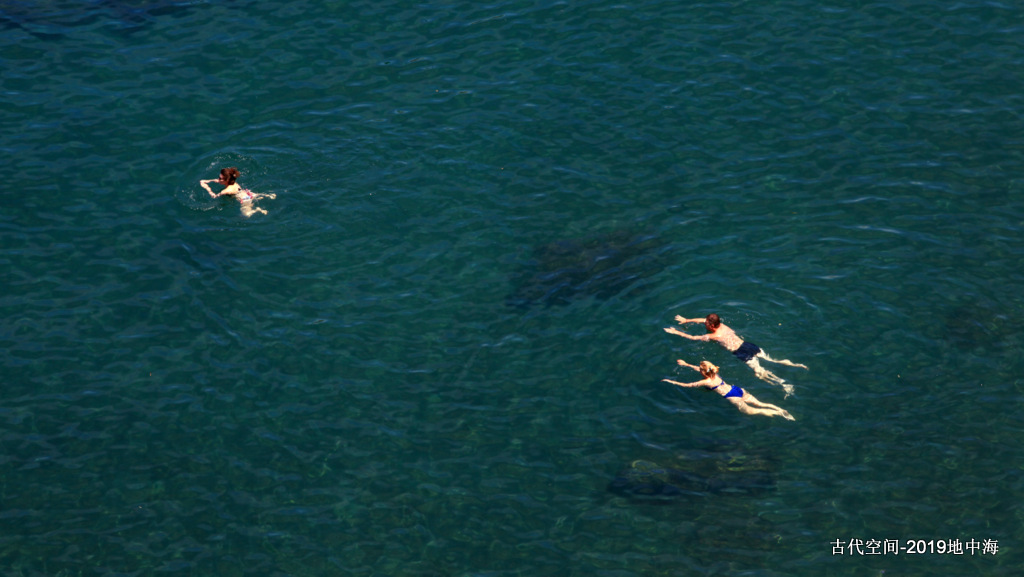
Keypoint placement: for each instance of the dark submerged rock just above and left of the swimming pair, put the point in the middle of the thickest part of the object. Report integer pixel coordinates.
(600, 267)
